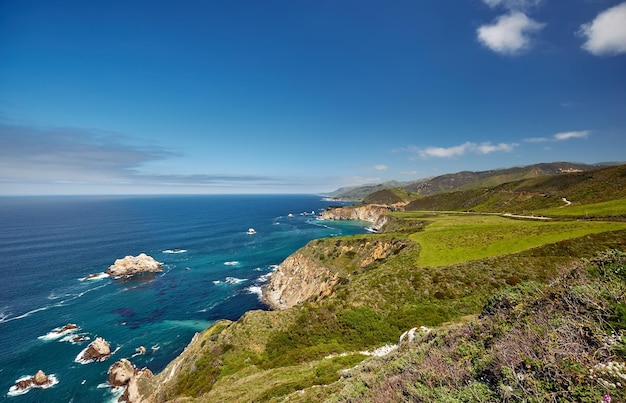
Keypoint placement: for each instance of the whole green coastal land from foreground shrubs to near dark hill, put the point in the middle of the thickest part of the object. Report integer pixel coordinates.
(515, 313)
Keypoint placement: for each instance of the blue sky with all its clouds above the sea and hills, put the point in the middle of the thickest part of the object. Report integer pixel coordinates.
(132, 97)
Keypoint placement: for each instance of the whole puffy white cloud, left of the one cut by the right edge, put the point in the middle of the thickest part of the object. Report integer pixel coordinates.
(510, 34)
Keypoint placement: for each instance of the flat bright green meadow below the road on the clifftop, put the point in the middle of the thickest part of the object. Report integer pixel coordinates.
(450, 239)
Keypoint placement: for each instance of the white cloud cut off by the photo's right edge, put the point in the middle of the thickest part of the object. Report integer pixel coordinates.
(606, 34)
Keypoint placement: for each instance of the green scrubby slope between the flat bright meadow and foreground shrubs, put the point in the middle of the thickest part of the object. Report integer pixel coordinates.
(268, 355)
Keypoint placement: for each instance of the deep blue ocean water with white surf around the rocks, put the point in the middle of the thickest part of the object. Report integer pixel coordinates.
(213, 269)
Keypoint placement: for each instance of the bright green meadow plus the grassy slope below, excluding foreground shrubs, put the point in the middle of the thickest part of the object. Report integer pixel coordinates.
(455, 264)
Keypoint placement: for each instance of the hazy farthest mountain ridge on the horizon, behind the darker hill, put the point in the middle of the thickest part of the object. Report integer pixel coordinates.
(466, 180)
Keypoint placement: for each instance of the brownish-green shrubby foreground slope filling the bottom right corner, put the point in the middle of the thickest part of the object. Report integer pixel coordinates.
(560, 342)
